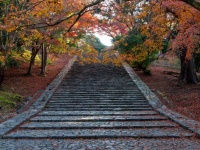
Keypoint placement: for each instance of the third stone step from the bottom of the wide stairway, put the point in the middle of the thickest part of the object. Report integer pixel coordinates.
(96, 118)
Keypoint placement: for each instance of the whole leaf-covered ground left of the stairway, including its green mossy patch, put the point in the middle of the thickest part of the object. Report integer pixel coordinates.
(20, 90)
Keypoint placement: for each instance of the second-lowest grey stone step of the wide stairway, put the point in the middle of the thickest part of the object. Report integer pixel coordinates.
(92, 125)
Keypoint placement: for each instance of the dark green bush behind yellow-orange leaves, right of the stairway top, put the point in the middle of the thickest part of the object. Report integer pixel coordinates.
(134, 44)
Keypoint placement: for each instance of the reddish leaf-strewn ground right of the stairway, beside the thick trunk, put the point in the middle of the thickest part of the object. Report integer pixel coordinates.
(184, 99)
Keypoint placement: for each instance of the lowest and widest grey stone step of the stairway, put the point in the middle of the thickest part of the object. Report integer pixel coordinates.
(100, 133)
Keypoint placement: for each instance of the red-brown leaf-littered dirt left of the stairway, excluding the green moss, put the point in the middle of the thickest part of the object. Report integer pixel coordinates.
(30, 86)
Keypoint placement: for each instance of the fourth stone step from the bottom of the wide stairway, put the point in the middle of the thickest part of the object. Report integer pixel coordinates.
(97, 113)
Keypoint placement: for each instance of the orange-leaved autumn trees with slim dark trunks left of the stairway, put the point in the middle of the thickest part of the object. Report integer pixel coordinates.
(36, 21)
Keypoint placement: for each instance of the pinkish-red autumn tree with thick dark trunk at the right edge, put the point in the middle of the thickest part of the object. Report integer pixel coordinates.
(187, 37)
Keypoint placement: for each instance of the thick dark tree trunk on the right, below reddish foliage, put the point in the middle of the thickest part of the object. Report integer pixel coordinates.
(188, 71)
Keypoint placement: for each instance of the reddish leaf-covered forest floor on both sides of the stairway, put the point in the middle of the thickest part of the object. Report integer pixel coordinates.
(184, 99)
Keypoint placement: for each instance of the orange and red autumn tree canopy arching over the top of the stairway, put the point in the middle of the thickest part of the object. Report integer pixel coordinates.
(60, 25)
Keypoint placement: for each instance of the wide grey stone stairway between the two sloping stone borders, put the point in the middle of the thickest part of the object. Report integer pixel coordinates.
(96, 102)
